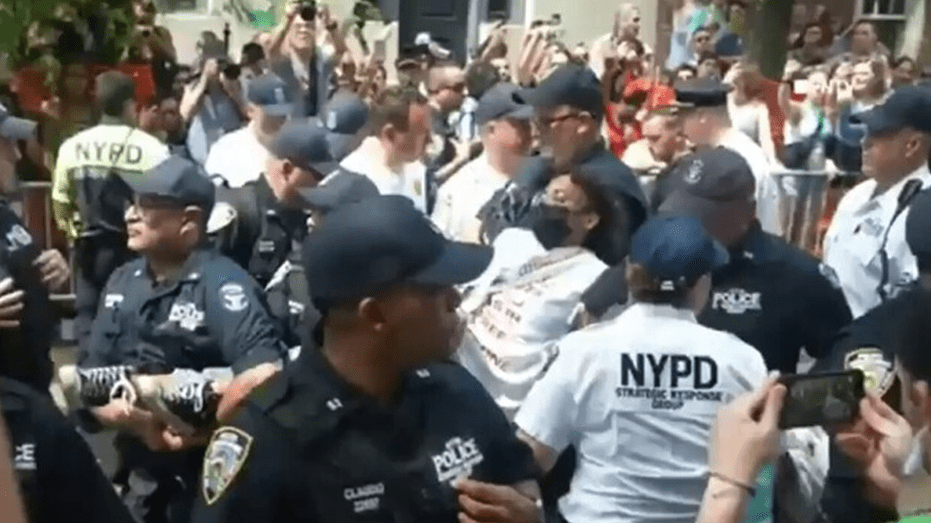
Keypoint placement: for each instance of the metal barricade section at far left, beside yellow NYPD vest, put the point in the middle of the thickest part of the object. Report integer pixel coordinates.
(36, 211)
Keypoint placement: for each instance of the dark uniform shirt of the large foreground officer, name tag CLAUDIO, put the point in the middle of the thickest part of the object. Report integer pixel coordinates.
(307, 447)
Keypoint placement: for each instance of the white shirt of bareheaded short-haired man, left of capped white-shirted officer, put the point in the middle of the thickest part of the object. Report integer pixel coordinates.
(410, 180)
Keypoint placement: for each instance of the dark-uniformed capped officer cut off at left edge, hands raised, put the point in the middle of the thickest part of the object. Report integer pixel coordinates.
(27, 274)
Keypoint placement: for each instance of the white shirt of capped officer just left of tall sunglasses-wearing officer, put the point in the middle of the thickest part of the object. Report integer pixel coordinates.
(463, 195)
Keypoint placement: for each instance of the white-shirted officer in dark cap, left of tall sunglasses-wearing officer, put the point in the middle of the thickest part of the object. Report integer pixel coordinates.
(504, 122)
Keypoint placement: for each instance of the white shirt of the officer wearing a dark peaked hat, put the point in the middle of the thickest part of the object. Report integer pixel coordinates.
(767, 189)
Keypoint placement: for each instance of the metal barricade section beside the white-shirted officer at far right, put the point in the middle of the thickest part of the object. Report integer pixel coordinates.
(806, 197)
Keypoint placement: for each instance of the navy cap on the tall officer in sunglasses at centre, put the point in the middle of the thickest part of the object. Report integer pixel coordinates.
(572, 85)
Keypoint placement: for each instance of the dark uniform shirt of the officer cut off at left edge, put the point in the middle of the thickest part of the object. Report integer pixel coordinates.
(24, 351)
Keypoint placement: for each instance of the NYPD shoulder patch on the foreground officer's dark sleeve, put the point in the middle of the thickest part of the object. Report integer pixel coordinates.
(229, 447)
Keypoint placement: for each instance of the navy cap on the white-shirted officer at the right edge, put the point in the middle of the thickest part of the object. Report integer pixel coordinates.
(907, 106)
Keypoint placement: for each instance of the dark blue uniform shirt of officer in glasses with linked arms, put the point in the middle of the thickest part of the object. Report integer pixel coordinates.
(213, 316)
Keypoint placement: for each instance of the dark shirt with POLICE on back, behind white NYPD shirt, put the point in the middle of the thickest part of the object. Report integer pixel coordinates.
(777, 299)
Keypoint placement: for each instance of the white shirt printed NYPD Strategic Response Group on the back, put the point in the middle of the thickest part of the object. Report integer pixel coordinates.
(637, 396)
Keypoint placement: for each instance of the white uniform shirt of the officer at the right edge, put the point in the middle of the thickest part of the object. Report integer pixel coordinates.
(853, 243)
